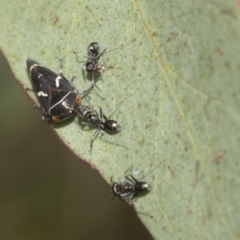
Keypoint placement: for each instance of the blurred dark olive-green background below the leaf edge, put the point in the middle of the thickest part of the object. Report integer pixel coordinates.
(45, 191)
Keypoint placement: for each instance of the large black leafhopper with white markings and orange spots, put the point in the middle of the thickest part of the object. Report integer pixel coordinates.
(59, 99)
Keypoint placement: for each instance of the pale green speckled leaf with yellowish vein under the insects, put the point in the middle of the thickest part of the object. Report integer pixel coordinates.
(176, 66)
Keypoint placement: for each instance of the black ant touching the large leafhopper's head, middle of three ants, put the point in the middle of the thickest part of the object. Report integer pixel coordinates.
(101, 121)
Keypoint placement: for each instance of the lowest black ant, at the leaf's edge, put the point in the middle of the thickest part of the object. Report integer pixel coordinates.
(130, 188)
